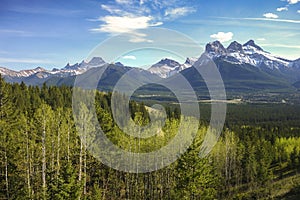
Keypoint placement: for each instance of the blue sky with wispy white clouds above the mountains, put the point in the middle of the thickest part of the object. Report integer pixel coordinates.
(52, 33)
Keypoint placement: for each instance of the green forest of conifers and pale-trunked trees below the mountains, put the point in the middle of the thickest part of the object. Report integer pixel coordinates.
(43, 157)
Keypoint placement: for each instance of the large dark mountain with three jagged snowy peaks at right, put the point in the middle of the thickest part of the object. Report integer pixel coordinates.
(248, 67)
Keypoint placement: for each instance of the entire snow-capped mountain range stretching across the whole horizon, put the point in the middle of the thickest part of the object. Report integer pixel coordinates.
(245, 68)
